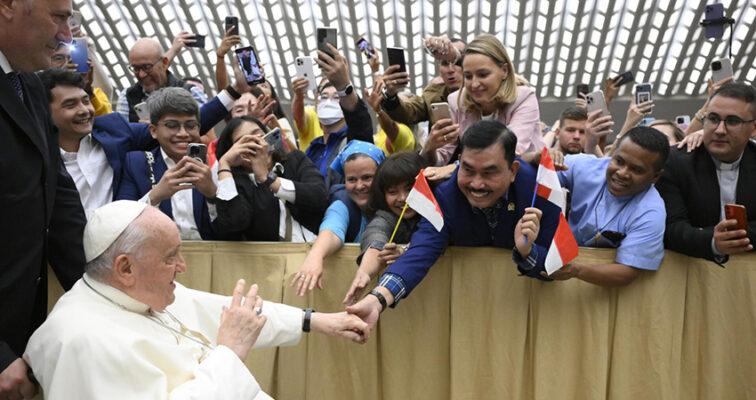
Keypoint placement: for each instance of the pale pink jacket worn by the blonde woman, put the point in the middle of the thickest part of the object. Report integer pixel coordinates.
(522, 117)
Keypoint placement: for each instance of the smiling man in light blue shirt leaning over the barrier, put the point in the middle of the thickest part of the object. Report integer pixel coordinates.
(614, 204)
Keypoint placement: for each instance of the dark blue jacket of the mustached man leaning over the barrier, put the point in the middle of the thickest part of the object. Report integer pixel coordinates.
(463, 227)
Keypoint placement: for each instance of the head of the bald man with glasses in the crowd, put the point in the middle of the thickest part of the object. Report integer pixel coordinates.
(149, 64)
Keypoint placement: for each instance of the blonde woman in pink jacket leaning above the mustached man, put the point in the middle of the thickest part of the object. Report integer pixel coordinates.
(490, 90)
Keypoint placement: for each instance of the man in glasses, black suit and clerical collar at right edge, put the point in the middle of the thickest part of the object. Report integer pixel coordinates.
(697, 185)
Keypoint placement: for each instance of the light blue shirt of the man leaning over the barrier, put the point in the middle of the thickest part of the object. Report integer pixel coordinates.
(641, 217)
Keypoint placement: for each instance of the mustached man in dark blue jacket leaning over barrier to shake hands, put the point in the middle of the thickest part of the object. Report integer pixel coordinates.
(486, 202)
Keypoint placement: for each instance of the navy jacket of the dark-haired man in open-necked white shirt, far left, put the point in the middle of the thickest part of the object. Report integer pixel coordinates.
(118, 136)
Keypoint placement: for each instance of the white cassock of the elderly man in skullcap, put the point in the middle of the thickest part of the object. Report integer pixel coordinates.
(91, 348)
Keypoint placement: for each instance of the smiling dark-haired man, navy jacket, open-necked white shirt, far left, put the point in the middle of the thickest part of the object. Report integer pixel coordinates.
(93, 149)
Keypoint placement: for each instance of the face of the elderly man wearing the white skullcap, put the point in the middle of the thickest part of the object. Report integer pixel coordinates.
(156, 268)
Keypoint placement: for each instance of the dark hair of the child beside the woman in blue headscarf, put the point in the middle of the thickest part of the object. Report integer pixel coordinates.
(399, 168)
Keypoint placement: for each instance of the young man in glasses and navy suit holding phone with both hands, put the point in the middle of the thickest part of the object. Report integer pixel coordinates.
(167, 177)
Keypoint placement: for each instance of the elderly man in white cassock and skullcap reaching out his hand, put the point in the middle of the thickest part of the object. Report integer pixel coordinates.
(127, 330)
